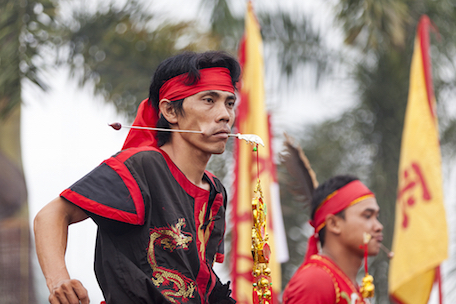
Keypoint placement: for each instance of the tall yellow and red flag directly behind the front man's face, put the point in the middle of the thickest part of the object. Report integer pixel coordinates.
(251, 118)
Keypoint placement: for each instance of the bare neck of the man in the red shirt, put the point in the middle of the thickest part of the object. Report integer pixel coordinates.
(348, 262)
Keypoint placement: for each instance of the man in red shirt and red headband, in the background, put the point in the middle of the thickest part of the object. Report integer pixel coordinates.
(344, 211)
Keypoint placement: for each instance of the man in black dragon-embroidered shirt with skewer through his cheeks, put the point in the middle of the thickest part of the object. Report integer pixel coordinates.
(160, 214)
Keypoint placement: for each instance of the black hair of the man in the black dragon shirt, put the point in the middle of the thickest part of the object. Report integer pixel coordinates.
(191, 63)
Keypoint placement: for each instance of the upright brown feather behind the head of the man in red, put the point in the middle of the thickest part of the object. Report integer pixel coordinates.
(303, 179)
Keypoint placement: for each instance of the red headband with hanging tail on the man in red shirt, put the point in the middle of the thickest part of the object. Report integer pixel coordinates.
(350, 194)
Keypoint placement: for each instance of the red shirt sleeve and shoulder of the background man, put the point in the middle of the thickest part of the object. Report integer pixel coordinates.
(310, 285)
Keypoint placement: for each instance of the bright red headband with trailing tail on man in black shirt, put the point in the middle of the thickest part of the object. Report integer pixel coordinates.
(174, 89)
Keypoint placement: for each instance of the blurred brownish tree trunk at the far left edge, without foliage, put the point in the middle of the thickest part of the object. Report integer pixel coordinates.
(16, 279)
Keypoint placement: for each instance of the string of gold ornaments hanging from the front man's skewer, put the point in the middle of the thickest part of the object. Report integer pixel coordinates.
(262, 285)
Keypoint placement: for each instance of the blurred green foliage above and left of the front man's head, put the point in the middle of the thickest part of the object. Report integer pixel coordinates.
(119, 49)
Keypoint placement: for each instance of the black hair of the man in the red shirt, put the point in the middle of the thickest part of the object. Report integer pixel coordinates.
(322, 192)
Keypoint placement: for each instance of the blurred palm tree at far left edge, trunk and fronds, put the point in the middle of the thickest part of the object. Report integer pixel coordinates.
(25, 27)
